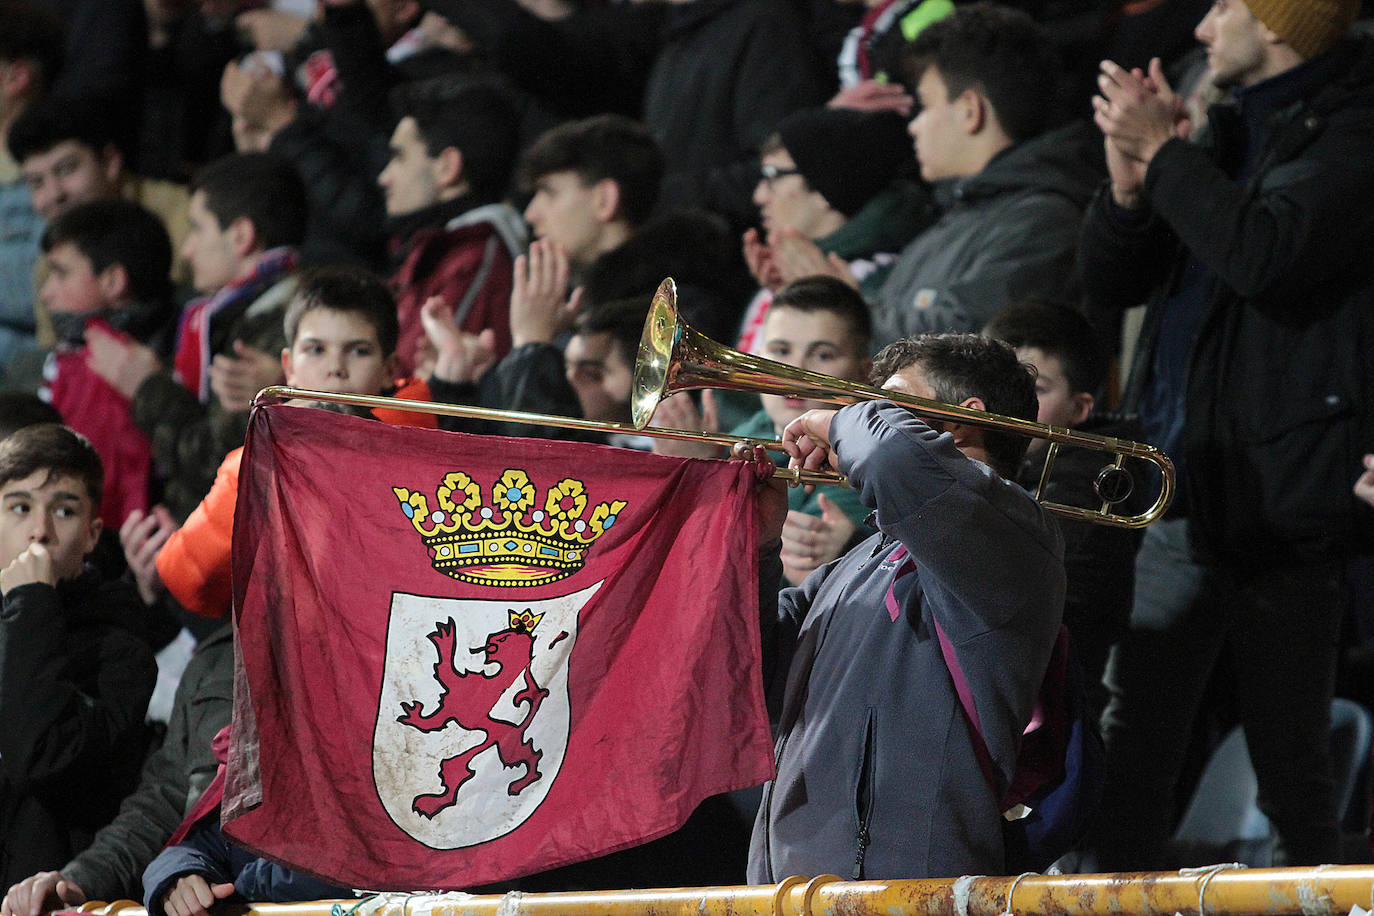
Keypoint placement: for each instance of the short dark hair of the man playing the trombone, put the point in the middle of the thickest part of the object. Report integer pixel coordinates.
(964, 366)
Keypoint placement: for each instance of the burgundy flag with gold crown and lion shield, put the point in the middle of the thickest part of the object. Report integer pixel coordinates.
(469, 659)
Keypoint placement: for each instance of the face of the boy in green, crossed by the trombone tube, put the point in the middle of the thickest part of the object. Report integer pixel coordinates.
(813, 341)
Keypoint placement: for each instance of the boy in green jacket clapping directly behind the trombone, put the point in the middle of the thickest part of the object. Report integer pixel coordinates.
(820, 325)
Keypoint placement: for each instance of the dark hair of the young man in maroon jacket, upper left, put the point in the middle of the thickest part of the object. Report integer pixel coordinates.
(476, 119)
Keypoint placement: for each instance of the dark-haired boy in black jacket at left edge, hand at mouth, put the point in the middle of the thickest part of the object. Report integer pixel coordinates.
(75, 675)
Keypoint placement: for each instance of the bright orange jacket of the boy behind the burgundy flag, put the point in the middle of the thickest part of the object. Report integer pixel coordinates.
(194, 564)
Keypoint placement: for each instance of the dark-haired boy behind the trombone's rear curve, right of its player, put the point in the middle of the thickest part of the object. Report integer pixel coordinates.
(1100, 561)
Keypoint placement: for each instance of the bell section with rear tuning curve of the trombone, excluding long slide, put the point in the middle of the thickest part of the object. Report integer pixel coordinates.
(677, 358)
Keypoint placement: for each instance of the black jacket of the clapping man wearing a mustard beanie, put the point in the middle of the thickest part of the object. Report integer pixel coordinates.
(1281, 371)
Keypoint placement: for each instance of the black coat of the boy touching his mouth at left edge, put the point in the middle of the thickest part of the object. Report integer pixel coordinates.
(75, 686)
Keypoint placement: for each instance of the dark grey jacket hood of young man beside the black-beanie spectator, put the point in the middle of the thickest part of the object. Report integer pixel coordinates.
(1066, 161)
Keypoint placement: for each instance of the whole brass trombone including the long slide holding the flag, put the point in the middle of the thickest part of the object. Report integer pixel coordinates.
(675, 358)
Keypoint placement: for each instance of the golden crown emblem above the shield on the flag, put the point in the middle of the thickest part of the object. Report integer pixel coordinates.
(515, 540)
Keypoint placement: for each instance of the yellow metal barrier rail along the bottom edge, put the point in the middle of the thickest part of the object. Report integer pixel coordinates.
(1222, 891)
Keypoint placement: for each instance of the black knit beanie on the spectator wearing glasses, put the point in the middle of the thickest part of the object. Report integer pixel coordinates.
(847, 156)
